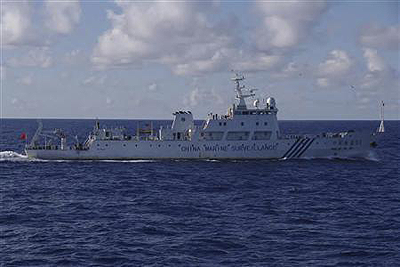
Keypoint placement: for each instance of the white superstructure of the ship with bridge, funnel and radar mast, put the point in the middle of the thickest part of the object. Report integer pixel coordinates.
(239, 123)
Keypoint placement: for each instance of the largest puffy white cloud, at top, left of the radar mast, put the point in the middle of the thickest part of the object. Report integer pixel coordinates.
(177, 34)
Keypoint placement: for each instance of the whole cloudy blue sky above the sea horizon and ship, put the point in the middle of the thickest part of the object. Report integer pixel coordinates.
(320, 60)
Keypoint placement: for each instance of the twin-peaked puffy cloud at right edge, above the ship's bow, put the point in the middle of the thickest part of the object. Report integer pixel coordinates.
(341, 74)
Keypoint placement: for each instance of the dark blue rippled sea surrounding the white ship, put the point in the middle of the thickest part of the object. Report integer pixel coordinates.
(200, 213)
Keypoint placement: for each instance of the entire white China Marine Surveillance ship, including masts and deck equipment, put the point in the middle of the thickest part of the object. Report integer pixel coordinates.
(245, 132)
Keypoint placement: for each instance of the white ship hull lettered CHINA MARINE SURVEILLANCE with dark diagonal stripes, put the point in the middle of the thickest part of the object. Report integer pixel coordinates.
(352, 145)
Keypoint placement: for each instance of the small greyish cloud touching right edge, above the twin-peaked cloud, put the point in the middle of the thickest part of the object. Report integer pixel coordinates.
(380, 37)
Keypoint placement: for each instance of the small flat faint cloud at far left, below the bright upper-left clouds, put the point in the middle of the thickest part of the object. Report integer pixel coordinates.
(37, 57)
